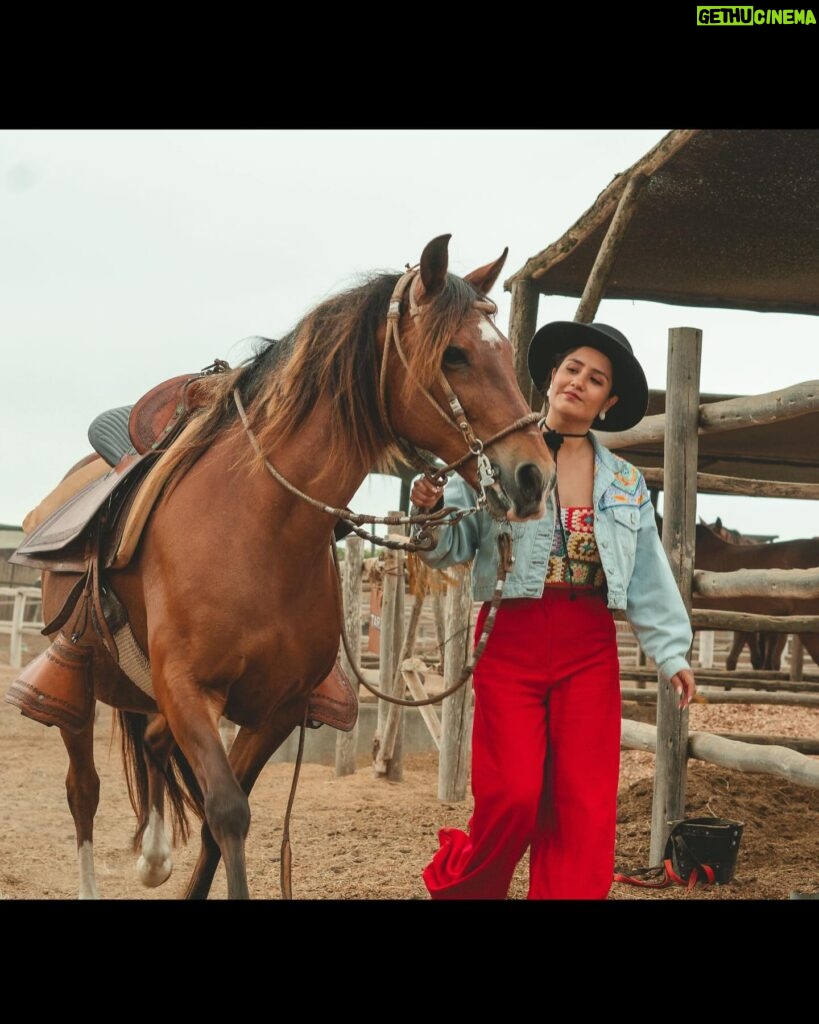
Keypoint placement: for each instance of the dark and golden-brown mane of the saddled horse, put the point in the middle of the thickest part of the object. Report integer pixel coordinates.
(331, 353)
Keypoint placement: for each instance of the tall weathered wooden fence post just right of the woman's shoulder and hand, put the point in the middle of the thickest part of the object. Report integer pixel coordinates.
(679, 533)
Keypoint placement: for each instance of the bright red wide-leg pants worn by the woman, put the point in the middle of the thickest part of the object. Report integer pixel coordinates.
(546, 743)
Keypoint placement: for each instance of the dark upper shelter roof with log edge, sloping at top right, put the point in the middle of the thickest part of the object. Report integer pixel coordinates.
(726, 219)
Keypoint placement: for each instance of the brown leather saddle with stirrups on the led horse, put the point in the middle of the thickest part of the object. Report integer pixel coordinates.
(92, 522)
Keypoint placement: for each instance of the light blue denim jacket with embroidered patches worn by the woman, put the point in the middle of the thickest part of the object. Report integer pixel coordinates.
(638, 574)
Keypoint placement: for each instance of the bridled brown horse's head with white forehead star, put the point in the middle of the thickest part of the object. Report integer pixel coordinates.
(449, 386)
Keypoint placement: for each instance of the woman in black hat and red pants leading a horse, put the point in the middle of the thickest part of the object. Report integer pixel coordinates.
(546, 734)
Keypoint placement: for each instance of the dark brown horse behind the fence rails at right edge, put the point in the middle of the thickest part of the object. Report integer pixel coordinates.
(716, 554)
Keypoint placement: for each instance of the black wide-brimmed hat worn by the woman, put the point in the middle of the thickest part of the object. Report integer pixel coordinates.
(630, 381)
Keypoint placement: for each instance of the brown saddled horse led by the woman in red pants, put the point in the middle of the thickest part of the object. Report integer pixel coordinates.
(237, 556)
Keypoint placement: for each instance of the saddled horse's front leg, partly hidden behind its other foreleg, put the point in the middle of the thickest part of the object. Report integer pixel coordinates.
(250, 753)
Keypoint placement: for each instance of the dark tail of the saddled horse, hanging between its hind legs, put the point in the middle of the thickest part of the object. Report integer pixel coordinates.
(182, 791)
